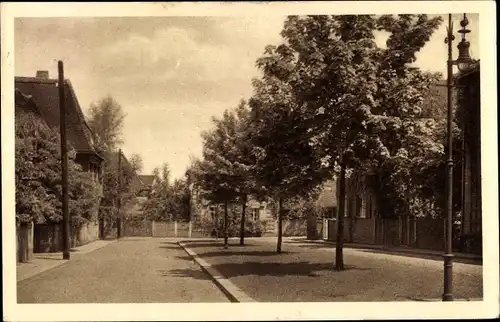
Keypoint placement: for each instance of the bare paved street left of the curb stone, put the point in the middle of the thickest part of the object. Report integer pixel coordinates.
(132, 270)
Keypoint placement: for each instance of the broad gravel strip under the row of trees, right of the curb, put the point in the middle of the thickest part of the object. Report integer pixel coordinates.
(304, 272)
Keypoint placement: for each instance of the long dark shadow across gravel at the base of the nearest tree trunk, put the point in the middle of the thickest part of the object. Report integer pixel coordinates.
(303, 268)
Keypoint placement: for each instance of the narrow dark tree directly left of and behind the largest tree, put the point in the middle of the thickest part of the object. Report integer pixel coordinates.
(287, 165)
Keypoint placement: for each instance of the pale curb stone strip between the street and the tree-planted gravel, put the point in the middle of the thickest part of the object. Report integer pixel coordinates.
(234, 293)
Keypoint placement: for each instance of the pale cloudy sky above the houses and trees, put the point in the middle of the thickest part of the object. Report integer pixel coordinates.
(170, 74)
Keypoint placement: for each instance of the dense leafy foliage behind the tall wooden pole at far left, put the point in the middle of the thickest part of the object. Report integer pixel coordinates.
(38, 177)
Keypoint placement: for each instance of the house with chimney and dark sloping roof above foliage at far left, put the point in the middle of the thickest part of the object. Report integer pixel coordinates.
(41, 94)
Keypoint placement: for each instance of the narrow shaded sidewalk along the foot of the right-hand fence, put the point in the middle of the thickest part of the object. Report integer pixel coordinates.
(473, 258)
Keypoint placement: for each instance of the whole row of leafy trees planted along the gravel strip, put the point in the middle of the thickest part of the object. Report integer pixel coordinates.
(331, 102)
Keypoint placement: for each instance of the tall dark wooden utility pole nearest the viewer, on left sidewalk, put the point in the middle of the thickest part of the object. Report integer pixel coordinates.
(64, 162)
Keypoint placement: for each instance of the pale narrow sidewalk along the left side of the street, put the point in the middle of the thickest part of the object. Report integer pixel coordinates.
(45, 261)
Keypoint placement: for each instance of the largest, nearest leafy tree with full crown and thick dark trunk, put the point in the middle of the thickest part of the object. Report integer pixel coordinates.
(361, 104)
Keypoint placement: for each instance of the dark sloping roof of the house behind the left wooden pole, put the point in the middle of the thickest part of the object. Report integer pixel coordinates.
(44, 93)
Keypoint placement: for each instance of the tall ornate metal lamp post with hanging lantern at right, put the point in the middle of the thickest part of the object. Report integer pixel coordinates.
(463, 62)
